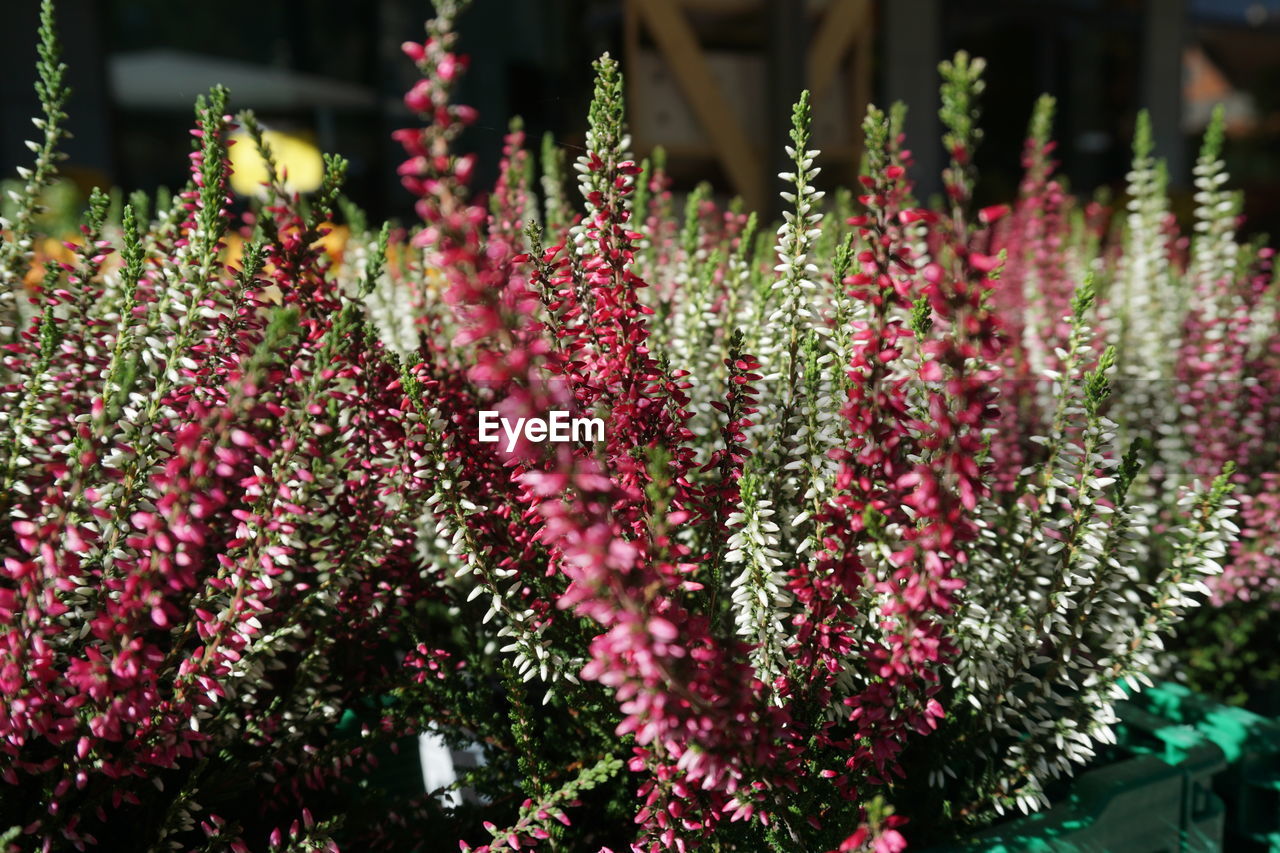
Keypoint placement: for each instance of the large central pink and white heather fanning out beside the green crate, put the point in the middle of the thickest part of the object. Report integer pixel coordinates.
(838, 409)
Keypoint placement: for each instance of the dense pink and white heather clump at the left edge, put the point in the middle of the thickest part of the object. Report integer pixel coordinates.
(207, 553)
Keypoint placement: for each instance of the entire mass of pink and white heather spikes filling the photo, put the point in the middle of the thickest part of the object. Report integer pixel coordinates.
(872, 539)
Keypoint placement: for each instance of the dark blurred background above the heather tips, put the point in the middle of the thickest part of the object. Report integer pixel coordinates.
(712, 81)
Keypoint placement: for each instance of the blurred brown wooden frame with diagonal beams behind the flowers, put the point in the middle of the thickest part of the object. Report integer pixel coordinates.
(712, 80)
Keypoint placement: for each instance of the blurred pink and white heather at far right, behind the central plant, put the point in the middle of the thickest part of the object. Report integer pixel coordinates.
(1194, 322)
